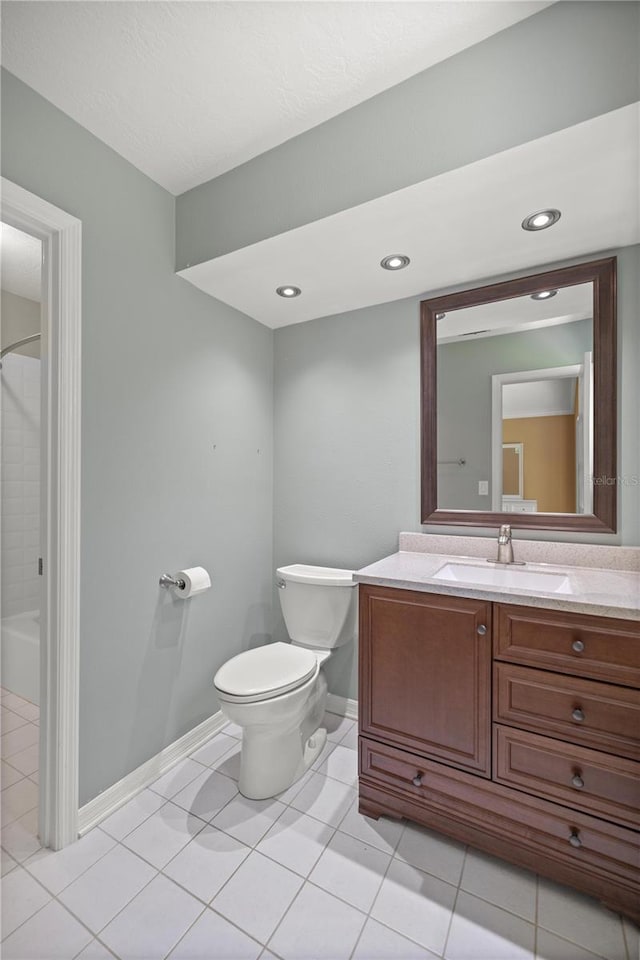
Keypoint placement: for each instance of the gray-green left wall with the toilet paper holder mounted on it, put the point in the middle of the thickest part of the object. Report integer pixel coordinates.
(176, 451)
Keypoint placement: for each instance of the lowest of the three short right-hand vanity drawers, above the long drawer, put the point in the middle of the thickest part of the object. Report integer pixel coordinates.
(575, 776)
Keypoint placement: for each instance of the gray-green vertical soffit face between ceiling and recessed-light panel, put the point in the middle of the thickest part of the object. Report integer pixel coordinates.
(570, 62)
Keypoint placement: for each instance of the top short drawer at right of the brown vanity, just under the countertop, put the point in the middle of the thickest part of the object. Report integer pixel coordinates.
(602, 648)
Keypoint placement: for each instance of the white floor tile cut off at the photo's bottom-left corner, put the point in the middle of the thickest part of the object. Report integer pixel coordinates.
(52, 933)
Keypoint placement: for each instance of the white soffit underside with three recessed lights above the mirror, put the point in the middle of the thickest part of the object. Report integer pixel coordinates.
(458, 227)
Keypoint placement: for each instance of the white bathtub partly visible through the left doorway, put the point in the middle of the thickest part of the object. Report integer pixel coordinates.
(20, 645)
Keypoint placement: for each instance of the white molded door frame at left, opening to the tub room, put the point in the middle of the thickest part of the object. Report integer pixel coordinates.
(61, 236)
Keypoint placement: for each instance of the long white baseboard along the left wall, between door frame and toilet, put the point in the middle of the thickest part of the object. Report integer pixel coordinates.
(114, 797)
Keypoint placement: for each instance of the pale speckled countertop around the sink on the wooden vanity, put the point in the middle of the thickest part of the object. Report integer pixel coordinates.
(608, 593)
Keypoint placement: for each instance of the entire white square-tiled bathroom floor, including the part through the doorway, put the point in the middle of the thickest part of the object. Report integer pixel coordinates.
(190, 869)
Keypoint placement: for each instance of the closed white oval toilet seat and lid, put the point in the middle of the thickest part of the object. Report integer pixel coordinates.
(265, 672)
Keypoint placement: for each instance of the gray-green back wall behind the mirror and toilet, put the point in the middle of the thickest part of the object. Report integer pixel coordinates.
(347, 418)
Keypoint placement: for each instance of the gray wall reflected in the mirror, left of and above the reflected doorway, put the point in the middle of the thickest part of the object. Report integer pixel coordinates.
(465, 369)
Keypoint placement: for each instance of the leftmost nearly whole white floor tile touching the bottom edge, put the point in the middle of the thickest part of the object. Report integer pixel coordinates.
(153, 923)
